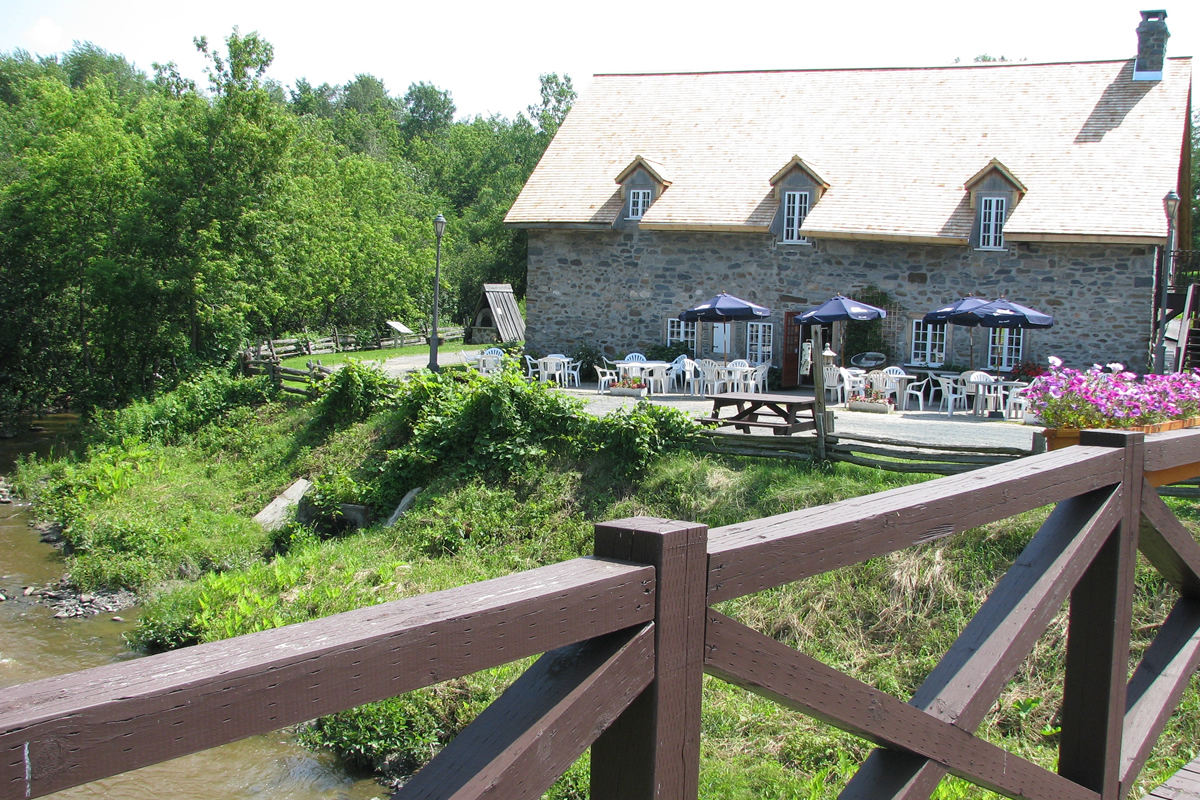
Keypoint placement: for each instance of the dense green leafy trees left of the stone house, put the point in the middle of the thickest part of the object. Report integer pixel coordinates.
(151, 228)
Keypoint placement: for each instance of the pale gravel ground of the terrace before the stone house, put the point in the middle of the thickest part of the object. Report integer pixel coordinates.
(926, 428)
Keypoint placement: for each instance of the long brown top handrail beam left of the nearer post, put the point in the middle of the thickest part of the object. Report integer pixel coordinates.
(99, 723)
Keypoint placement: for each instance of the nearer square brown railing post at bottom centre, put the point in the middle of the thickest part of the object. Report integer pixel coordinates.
(652, 751)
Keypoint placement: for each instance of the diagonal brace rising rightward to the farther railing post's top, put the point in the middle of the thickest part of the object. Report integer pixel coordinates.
(977, 667)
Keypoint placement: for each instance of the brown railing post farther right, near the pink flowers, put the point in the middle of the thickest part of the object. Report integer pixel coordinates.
(1094, 703)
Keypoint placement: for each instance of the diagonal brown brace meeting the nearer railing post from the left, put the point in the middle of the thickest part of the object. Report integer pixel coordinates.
(530, 736)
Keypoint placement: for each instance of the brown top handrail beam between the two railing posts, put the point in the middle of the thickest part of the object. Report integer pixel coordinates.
(755, 556)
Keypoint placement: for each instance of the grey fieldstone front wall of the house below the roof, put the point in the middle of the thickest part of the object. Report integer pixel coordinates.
(615, 291)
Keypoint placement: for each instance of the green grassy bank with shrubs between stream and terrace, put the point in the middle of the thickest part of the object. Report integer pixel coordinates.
(514, 477)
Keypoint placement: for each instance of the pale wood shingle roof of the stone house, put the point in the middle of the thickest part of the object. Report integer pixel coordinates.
(1096, 151)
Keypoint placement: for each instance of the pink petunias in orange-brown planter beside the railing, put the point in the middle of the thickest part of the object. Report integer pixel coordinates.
(1069, 401)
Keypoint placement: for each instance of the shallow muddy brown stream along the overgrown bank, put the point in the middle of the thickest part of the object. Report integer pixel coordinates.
(34, 645)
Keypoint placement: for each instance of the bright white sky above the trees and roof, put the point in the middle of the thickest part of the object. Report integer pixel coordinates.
(489, 55)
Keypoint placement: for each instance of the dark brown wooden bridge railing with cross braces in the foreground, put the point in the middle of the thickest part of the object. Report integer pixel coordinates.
(629, 634)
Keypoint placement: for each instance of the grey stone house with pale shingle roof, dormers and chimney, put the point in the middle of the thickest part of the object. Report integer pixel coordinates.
(1040, 183)
